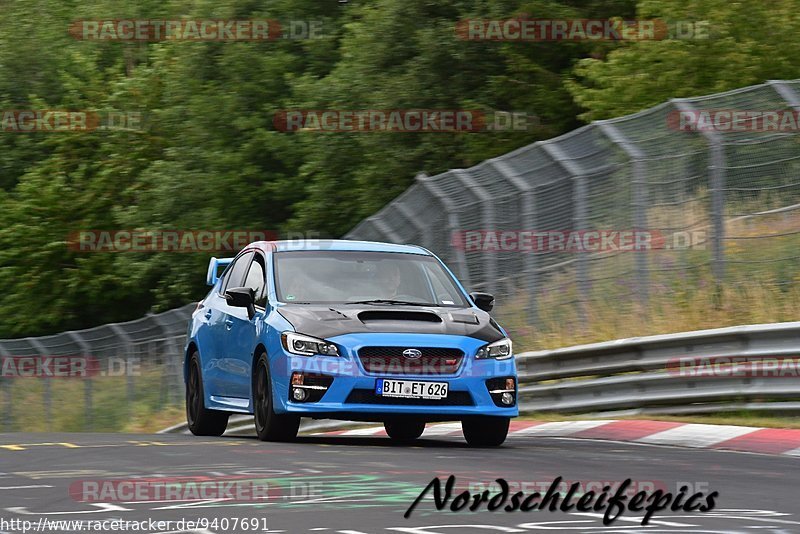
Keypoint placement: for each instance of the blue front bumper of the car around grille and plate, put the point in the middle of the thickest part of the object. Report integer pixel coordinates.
(351, 394)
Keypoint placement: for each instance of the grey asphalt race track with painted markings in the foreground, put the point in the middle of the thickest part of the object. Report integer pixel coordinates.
(353, 485)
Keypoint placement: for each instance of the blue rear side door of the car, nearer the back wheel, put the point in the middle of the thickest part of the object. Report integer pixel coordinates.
(225, 369)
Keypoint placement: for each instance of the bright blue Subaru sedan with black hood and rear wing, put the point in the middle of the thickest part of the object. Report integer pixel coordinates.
(352, 330)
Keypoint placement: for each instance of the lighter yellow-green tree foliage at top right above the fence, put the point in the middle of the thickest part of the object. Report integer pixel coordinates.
(748, 43)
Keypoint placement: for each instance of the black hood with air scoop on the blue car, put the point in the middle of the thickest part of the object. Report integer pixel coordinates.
(333, 320)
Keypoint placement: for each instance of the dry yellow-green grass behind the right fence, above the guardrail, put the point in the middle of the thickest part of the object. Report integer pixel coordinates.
(761, 285)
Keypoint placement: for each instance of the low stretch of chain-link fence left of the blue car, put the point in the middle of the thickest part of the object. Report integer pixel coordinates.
(95, 379)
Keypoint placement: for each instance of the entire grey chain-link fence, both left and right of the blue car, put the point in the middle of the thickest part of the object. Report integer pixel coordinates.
(618, 213)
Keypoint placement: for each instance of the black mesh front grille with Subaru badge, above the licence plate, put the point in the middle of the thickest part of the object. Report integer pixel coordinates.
(390, 361)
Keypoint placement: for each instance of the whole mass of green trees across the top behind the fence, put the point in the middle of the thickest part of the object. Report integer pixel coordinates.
(209, 156)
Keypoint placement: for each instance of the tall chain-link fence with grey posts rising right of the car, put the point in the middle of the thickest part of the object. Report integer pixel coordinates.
(691, 194)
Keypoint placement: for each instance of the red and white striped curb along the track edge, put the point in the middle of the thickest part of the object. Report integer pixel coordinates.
(724, 437)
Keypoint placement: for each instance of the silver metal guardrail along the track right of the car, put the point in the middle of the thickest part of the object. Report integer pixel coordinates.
(633, 376)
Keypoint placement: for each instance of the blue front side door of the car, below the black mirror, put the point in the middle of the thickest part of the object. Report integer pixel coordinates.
(243, 333)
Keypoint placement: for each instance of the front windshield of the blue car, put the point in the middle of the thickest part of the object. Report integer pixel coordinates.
(323, 277)
